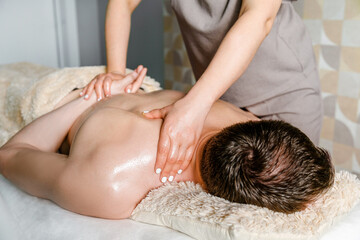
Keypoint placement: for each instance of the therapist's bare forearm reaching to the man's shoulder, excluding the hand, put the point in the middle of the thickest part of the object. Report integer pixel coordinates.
(233, 56)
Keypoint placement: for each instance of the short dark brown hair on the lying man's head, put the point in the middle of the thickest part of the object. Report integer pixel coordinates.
(266, 163)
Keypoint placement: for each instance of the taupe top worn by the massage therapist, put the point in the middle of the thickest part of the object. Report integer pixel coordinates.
(281, 64)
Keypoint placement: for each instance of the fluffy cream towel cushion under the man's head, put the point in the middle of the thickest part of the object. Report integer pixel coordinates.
(187, 208)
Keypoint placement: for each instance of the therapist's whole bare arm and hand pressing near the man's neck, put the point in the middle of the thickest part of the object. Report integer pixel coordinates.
(183, 121)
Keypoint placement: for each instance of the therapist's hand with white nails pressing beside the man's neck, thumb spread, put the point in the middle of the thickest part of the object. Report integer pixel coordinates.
(180, 132)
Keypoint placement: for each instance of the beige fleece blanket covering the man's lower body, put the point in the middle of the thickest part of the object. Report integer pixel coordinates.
(28, 91)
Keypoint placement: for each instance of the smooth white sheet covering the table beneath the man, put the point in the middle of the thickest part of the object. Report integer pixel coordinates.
(25, 217)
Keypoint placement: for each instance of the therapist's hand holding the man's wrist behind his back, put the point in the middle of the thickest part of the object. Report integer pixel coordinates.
(102, 84)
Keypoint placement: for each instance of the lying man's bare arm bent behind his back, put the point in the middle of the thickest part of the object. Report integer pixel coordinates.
(29, 158)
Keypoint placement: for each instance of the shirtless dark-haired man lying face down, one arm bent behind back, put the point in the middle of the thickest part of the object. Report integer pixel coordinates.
(109, 168)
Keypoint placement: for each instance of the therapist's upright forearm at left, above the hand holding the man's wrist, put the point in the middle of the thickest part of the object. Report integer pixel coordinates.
(117, 31)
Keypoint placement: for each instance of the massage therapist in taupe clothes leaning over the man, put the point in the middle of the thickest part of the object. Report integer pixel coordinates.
(255, 54)
